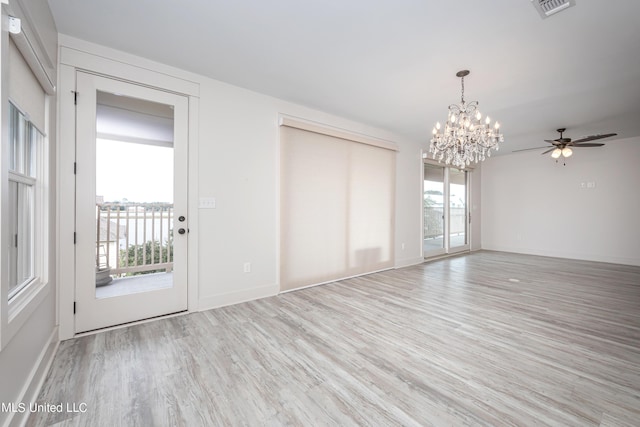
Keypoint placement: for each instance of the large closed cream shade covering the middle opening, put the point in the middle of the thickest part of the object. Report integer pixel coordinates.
(337, 207)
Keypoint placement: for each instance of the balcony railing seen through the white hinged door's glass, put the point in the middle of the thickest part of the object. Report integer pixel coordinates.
(134, 238)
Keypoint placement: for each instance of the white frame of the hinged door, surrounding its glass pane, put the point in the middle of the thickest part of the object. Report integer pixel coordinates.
(93, 312)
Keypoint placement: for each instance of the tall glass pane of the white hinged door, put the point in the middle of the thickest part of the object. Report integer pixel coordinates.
(134, 201)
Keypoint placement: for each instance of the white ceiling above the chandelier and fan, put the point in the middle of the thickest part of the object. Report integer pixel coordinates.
(392, 63)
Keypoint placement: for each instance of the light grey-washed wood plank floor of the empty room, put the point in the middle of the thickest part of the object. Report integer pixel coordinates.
(452, 342)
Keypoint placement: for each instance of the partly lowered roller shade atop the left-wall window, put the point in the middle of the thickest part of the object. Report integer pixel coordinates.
(24, 89)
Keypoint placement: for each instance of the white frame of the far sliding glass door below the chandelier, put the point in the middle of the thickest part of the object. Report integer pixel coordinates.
(447, 250)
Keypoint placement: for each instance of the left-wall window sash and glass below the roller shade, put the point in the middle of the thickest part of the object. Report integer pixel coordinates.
(24, 143)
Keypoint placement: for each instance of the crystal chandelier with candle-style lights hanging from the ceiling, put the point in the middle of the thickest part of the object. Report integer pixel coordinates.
(465, 137)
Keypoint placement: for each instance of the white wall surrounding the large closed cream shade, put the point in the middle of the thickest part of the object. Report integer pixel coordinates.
(239, 151)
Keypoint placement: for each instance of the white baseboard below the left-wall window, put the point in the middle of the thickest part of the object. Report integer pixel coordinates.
(34, 382)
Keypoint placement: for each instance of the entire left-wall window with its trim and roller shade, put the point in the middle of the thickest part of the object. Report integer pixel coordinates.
(26, 105)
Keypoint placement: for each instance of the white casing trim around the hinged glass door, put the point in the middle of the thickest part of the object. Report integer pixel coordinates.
(114, 65)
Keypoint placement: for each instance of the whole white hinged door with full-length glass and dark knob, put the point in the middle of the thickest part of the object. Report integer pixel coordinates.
(131, 202)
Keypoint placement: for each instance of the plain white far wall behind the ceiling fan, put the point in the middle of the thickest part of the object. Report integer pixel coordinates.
(530, 204)
